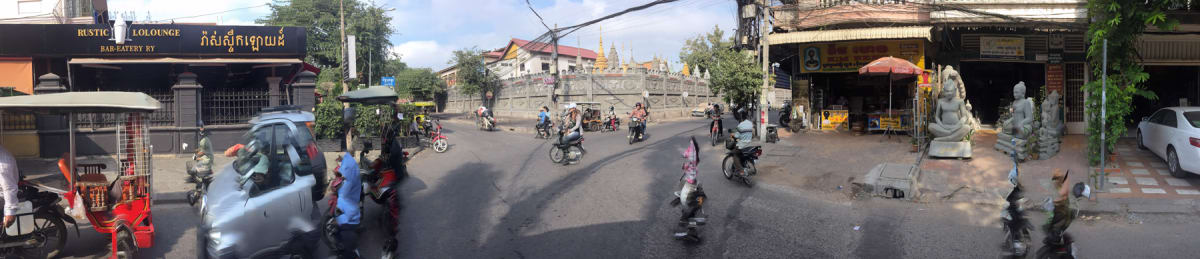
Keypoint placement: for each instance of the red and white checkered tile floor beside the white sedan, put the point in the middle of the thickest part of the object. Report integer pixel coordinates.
(1145, 176)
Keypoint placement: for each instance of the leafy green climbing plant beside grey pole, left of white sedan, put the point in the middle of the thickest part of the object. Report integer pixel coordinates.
(1120, 22)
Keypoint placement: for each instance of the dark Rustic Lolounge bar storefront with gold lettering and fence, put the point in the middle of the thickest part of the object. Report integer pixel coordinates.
(203, 75)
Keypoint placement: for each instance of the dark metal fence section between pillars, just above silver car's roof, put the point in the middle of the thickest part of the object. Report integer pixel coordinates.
(232, 107)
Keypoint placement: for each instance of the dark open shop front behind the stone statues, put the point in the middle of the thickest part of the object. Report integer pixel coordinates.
(992, 61)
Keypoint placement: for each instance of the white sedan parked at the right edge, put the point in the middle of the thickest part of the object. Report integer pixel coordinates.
(1173, 134)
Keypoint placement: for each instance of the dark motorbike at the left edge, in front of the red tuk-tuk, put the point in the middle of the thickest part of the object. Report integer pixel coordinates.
(40, 230)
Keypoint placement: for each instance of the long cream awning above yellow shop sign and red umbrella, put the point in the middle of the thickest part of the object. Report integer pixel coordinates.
(851, 35)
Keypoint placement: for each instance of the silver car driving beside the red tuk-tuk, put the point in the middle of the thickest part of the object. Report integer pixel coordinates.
(262, 206)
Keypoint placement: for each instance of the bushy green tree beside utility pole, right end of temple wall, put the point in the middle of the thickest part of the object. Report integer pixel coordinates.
(736, 76)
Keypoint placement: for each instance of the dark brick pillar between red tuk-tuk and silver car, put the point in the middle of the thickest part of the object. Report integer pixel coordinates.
(188, 110)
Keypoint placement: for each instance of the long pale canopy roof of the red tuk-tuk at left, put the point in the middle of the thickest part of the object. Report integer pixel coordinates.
(81, 103)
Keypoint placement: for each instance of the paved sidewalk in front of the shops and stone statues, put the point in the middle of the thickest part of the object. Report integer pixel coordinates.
(831, 162)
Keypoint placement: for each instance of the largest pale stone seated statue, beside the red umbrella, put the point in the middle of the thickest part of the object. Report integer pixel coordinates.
(952, 128)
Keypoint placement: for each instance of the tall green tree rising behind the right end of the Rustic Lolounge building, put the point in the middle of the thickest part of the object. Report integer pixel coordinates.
(370, 26)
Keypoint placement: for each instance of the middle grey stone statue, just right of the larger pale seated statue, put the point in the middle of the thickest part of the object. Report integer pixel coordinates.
(1019, 127)
